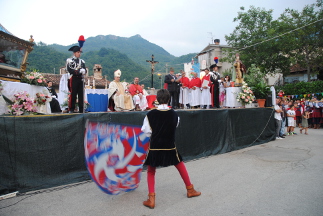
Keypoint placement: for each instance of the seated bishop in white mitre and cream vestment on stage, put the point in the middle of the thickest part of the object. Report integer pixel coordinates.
(119, 97)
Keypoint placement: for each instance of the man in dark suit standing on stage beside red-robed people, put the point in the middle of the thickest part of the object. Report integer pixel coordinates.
(173, 88)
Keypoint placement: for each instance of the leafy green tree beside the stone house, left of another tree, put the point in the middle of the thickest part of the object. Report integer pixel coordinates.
(252, 39)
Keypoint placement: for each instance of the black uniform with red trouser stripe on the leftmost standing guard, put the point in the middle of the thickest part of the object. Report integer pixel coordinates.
(76, 85)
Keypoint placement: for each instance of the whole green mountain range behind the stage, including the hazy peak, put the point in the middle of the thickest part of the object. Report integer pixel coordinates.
(112, 52)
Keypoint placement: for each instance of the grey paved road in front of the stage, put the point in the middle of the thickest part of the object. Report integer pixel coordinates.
(282, 177)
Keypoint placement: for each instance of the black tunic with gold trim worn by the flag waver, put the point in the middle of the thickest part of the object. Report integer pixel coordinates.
(162, 150)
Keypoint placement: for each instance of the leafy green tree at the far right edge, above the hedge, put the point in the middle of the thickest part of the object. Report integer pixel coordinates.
(304, 43)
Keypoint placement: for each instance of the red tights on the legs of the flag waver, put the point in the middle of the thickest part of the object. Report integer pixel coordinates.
(151, 176)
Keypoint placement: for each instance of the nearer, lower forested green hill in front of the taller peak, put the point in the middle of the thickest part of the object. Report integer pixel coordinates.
(44, 59)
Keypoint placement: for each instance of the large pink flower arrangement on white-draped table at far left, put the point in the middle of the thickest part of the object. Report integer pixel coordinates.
(22, 104)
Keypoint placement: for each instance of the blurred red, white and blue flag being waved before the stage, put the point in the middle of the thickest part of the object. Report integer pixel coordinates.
(115, 155)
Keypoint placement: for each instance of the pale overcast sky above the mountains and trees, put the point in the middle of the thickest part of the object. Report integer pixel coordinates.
(179, 26)
